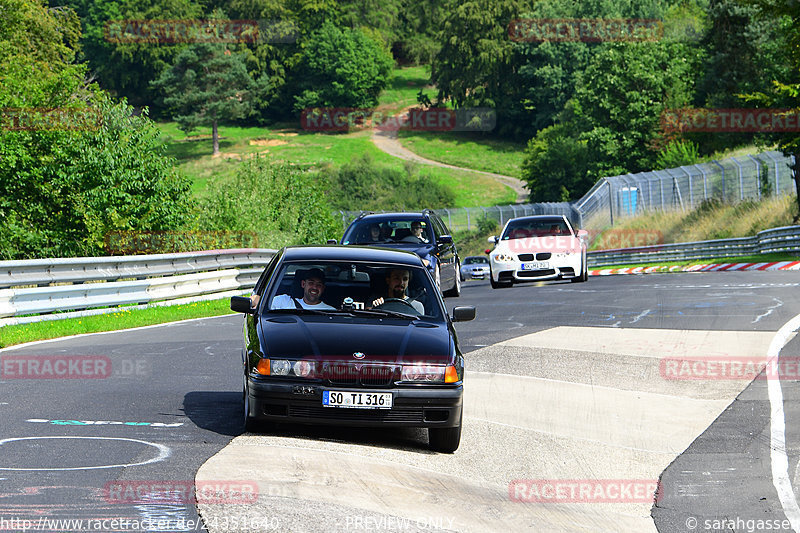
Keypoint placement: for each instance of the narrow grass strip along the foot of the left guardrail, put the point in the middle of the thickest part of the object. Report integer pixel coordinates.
(125, 318)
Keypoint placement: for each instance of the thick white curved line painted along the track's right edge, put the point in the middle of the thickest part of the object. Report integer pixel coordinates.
(780, 461)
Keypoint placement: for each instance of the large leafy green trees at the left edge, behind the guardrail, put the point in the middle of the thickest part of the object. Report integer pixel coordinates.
(64, 188)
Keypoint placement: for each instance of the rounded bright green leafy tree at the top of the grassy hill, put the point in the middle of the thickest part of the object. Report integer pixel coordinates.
(341, 67)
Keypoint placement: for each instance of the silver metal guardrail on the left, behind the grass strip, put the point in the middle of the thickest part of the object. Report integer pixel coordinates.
(49, 285)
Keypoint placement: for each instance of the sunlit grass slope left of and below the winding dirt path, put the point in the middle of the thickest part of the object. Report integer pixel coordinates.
(316, 150)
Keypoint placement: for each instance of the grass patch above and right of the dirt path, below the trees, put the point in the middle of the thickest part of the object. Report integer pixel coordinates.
(469, 150)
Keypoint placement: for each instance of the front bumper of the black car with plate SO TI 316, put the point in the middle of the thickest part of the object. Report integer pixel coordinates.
(301, 403)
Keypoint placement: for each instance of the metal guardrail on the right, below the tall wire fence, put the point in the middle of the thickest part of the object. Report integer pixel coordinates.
(783, 240)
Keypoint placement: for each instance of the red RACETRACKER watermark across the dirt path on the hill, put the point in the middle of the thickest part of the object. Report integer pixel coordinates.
(418, 119)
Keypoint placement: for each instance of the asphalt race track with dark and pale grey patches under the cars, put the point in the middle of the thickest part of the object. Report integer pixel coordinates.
(566, 383)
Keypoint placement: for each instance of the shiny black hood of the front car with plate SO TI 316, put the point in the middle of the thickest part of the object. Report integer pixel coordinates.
(303, 336)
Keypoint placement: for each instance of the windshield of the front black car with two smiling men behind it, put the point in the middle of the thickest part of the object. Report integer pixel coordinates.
(371, 290)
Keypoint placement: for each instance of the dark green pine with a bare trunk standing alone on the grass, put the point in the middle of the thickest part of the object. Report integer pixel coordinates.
(208, 84)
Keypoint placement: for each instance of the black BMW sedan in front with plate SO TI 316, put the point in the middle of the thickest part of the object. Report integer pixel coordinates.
(352, 336)
